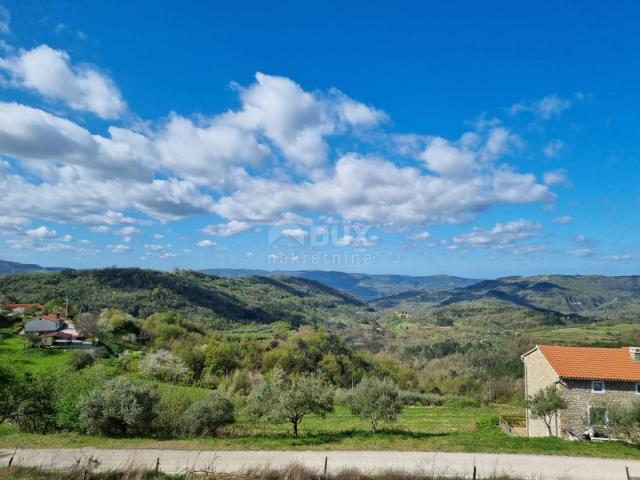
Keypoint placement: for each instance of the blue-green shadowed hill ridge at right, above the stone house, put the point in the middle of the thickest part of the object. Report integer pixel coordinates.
(595, 296)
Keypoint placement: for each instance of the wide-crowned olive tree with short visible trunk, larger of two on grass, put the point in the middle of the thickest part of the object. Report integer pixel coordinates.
(281, 399)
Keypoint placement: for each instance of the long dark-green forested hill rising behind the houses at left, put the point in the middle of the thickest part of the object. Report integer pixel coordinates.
(142, 292)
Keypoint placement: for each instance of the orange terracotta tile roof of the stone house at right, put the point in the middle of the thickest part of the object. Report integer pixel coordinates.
(588, 363)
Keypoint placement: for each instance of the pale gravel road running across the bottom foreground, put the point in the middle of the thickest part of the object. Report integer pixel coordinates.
(178, 461)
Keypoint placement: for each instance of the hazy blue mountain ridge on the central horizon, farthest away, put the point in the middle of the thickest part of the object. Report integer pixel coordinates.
(360, 285)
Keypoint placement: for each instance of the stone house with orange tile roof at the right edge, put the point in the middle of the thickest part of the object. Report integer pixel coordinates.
(589, 379)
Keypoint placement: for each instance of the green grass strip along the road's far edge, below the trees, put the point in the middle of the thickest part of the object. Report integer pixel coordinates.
(418, 428)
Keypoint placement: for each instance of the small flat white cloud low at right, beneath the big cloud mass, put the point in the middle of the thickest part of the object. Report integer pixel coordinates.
(503, 236)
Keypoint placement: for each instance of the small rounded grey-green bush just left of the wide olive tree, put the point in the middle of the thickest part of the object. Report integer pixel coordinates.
(206, 416)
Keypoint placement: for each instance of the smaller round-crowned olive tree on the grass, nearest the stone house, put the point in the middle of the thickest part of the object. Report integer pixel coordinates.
(376, 400)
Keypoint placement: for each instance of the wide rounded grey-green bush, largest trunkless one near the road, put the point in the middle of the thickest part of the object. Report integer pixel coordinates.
(119, 408)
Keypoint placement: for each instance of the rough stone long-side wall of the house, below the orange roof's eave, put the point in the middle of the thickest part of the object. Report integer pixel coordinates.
(579, 396)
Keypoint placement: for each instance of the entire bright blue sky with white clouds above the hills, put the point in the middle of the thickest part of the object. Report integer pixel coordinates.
(480, 139)
